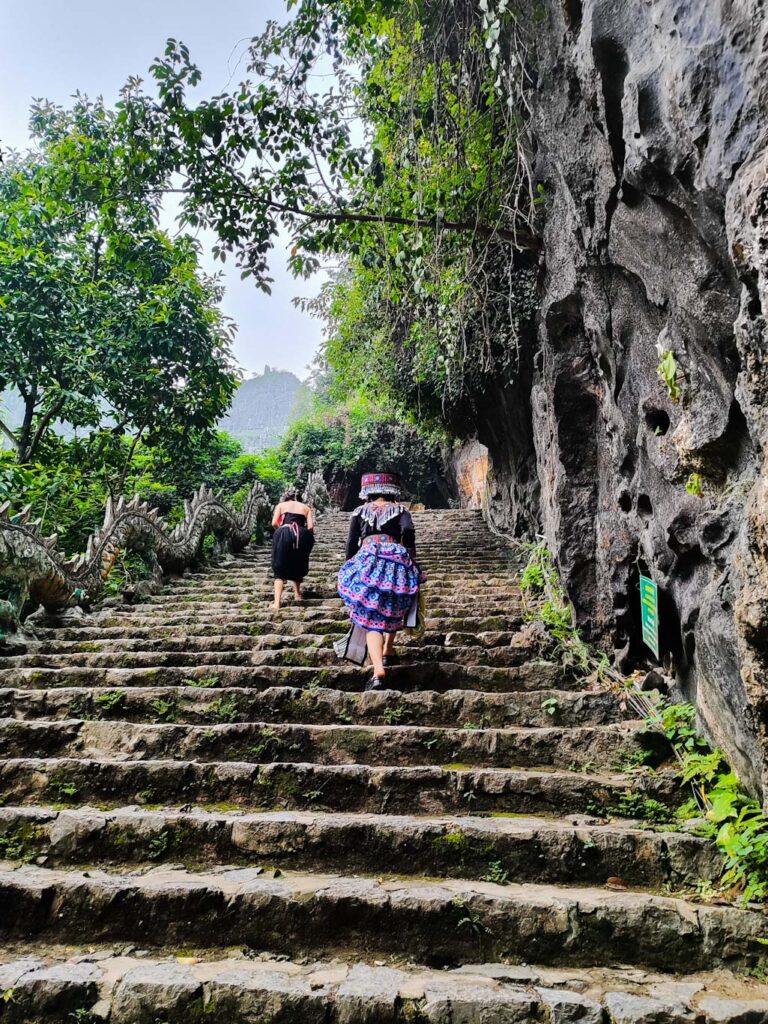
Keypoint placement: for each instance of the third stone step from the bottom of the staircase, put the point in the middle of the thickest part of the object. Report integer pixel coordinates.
(518, 849)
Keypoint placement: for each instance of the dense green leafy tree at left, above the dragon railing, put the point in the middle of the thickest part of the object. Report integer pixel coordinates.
(103, 317)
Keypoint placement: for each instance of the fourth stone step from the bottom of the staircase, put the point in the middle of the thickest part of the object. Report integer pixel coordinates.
(422, 790)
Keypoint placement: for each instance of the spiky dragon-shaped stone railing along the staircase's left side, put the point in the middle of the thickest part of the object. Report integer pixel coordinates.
(34, 573)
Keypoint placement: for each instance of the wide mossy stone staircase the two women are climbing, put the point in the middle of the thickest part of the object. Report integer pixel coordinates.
(205, 819)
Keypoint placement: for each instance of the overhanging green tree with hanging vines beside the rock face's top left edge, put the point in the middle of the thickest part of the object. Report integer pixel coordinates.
(436, 216)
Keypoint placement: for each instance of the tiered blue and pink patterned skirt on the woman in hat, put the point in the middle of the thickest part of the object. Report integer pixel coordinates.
(379, 586)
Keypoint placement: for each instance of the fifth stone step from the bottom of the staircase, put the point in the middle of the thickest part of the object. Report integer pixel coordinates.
(574, 748)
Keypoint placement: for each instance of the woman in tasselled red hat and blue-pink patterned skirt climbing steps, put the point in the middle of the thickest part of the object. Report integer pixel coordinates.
(379, 582)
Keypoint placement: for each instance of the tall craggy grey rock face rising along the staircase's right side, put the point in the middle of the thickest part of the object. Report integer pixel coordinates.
(651, 130)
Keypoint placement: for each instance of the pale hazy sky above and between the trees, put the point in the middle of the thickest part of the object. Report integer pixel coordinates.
(51, 50)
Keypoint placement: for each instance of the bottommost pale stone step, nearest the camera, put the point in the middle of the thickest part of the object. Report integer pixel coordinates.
(133, 988)
